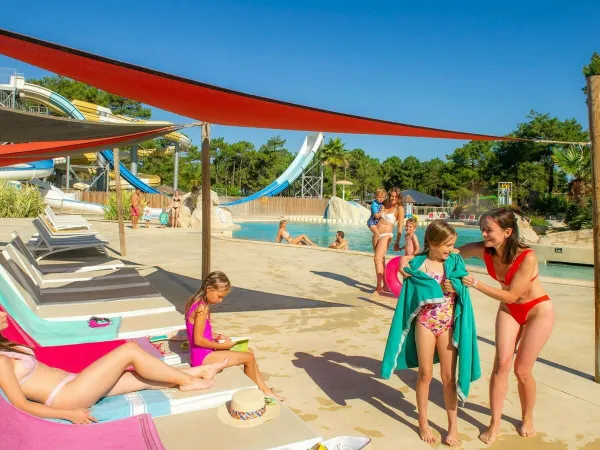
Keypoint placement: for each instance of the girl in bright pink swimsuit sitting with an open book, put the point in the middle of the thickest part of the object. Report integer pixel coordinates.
(214, 348)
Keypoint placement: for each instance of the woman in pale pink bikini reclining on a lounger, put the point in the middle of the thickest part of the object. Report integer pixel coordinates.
(51, 393)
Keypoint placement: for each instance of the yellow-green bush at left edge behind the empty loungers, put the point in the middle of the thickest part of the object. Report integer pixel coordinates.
(22, 201)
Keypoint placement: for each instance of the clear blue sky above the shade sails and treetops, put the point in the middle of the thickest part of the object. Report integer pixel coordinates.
(468, 66)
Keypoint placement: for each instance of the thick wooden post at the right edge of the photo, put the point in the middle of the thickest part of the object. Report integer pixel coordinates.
(593, 88)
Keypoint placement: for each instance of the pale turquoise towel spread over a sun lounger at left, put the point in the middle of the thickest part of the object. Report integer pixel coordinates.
(47, 332)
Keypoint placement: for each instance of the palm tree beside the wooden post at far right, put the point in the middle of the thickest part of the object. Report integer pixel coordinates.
(576, 164)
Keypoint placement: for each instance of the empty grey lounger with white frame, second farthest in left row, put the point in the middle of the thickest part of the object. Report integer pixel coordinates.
(46, 244)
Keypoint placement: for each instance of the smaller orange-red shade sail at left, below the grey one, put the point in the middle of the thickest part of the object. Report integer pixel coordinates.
(37, 151)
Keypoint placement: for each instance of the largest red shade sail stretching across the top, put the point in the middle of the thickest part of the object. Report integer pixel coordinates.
(200, 100)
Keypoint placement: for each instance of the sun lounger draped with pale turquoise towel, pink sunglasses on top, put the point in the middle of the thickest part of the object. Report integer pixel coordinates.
(62, 332)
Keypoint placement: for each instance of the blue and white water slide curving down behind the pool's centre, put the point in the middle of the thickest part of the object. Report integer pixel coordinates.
(305, 156)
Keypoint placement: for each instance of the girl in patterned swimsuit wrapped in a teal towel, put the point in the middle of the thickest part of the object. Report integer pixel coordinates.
(434, 322)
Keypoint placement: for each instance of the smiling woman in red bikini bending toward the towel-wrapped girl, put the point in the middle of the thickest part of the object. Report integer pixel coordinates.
(525, 315)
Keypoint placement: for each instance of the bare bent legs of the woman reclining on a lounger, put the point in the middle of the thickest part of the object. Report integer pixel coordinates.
(103, 376)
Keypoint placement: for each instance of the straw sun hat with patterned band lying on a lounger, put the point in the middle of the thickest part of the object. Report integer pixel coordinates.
(248, 408)
